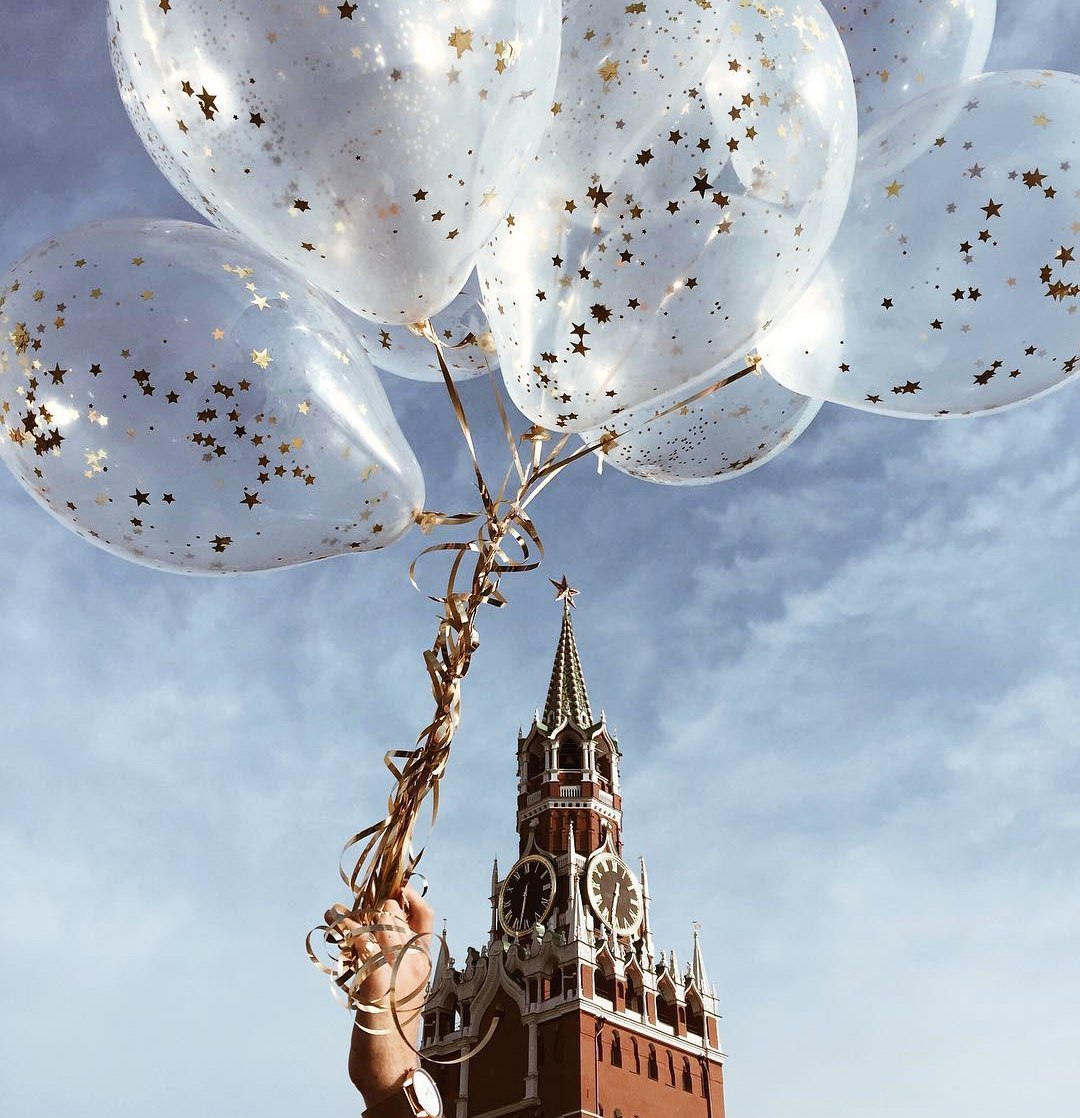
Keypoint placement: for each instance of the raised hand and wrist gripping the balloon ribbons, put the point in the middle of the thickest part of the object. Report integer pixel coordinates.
(378, 1065)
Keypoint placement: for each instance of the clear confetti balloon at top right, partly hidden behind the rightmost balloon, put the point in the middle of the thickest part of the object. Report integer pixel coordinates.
(901, 50)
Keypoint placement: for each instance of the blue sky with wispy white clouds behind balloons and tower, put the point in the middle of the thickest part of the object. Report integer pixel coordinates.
(845, 686)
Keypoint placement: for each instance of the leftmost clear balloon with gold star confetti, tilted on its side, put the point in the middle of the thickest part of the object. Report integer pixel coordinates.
(181, 400)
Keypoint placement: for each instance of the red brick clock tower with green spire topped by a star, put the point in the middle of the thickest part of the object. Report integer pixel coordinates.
(569, 1007)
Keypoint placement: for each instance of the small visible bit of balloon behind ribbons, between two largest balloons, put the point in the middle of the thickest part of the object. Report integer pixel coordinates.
(405, 353)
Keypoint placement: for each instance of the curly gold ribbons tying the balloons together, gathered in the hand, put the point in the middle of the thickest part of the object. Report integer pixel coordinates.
(507, 542)
